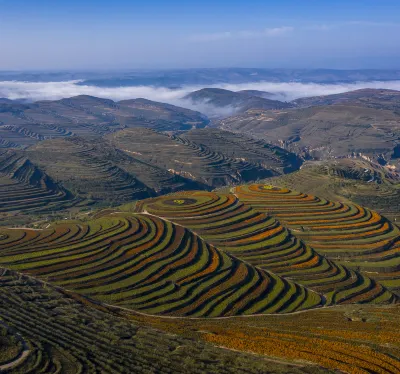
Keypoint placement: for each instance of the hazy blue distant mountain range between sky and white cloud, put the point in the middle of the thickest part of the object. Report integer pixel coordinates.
(179, 77)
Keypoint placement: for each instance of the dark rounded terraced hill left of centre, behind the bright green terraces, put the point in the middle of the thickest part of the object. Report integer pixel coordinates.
(84, 168)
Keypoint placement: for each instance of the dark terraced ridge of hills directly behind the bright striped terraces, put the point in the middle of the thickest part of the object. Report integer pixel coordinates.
(56, 175)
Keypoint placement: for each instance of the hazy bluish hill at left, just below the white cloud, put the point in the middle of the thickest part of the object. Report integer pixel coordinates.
(23, 125)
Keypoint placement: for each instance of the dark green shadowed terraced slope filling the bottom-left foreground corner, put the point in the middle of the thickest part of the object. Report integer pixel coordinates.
(46, 330)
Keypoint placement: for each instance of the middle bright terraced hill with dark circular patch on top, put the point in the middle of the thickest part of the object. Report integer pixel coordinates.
(226, 222)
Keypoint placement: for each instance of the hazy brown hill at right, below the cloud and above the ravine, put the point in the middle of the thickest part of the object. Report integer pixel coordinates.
(327, 131)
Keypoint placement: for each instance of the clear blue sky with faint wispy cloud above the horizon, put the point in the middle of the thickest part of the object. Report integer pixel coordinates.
(58, 34)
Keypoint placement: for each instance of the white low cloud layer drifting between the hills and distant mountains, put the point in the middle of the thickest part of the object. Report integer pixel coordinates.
(34, 91)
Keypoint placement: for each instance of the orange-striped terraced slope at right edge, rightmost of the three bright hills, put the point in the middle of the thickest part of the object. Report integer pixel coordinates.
(347, 233)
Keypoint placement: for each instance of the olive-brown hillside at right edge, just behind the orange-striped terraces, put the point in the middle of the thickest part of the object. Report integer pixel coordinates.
(350, 181)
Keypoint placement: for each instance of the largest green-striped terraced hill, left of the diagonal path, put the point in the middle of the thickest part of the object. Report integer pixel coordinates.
(151, 265)
